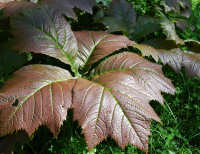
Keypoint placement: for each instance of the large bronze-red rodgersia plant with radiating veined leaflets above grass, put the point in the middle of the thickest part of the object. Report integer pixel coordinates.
(109, 92)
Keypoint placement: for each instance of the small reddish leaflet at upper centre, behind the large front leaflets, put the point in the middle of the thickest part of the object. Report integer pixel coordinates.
(95, 45)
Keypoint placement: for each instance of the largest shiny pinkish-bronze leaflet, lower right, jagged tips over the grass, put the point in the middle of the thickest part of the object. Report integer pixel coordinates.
(116, 101)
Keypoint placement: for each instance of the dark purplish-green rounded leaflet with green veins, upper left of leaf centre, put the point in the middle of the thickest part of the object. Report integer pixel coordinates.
(43, 30)
